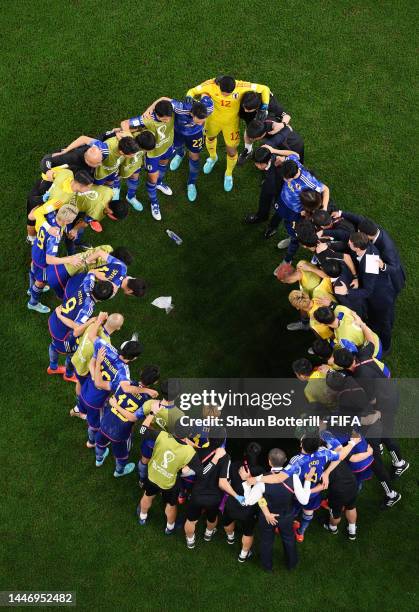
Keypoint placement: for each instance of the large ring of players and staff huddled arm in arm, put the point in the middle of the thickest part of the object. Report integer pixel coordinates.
(346, 296)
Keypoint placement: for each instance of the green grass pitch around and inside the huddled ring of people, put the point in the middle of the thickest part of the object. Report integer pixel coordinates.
(345, 71)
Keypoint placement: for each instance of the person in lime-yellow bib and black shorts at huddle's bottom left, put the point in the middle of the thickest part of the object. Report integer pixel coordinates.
(171, 453)
